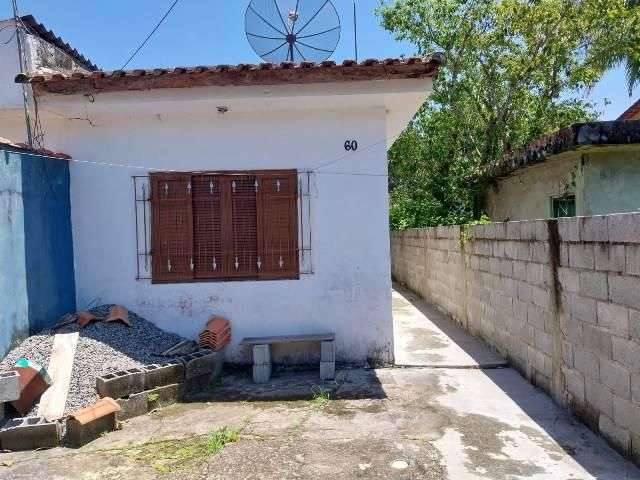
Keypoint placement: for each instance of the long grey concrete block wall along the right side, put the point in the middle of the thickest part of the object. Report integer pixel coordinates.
(559, 298)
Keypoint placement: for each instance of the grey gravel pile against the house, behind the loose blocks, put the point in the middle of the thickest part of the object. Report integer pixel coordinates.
(102, 348)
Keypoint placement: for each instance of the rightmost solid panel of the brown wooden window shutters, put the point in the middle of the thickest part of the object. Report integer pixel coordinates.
(278, 221)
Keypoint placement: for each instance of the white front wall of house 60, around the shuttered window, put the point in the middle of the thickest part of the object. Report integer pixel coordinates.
(349, 292)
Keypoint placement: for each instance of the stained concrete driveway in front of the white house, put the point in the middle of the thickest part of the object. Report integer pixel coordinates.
(405, 423)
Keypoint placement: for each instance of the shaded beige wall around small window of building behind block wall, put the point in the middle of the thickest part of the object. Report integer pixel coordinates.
(526, 194)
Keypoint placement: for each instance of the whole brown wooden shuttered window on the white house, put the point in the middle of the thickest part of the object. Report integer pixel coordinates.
(224, 226)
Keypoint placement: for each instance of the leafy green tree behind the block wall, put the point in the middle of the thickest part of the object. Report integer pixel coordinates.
(514, 71)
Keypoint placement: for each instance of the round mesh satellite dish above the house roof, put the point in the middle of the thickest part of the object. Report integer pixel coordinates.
(292, 30)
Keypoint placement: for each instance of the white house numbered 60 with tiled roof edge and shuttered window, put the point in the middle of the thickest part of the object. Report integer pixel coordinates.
(258, 193)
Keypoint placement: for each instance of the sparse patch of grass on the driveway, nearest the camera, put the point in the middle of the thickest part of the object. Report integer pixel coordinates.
(171, 455)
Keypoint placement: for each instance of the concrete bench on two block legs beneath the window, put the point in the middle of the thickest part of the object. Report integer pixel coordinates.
(262, 353)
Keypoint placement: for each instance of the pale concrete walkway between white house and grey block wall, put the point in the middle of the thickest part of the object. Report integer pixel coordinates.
(426, 337)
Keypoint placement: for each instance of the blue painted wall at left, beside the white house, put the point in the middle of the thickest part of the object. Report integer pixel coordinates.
(35, 244)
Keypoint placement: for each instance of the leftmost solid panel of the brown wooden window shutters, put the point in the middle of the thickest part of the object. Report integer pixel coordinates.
(172, 230)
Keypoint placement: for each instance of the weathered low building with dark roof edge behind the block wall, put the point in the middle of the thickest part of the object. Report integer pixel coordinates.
(586, 169)
